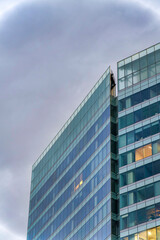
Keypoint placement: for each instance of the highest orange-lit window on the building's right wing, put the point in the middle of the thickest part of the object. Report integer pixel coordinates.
(143, 152)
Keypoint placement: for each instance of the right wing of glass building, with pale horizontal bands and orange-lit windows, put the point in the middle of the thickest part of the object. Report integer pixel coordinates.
(139, 145)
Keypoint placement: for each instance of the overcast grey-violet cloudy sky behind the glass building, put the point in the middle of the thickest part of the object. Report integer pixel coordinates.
(51, 54)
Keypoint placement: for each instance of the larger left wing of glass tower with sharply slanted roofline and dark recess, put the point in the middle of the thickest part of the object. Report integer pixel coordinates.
(74, 187)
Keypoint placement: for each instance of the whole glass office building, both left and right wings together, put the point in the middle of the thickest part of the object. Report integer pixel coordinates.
(99, 179)
